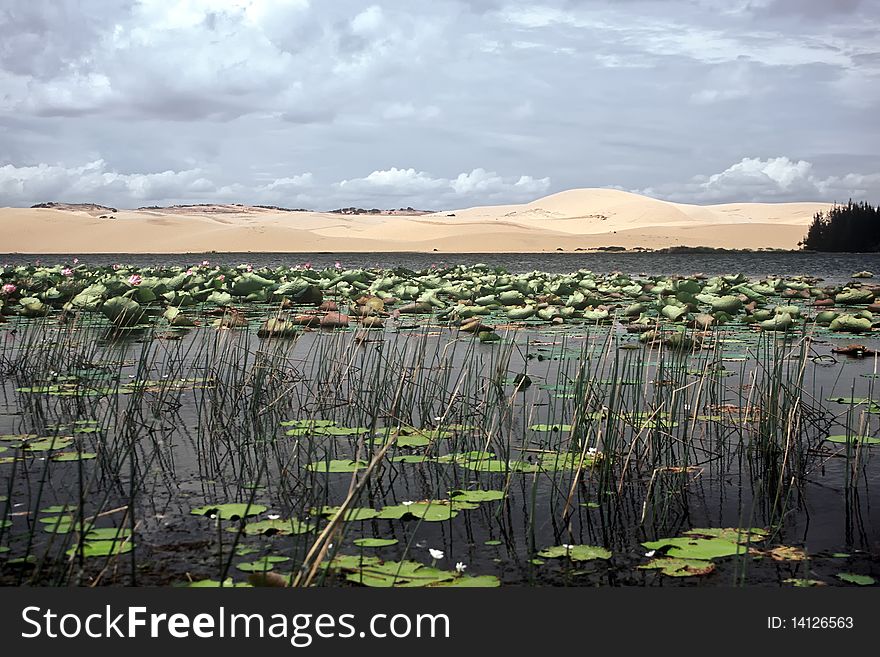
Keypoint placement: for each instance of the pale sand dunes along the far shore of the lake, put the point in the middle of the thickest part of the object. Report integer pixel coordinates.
(582, 218)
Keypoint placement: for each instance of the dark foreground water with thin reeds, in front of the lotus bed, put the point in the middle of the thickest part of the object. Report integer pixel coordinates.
(222, 442)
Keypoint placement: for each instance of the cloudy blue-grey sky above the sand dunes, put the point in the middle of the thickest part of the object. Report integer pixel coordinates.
(437, 104)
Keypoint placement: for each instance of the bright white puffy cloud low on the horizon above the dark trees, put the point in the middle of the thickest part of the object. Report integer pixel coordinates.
(773, 179)
